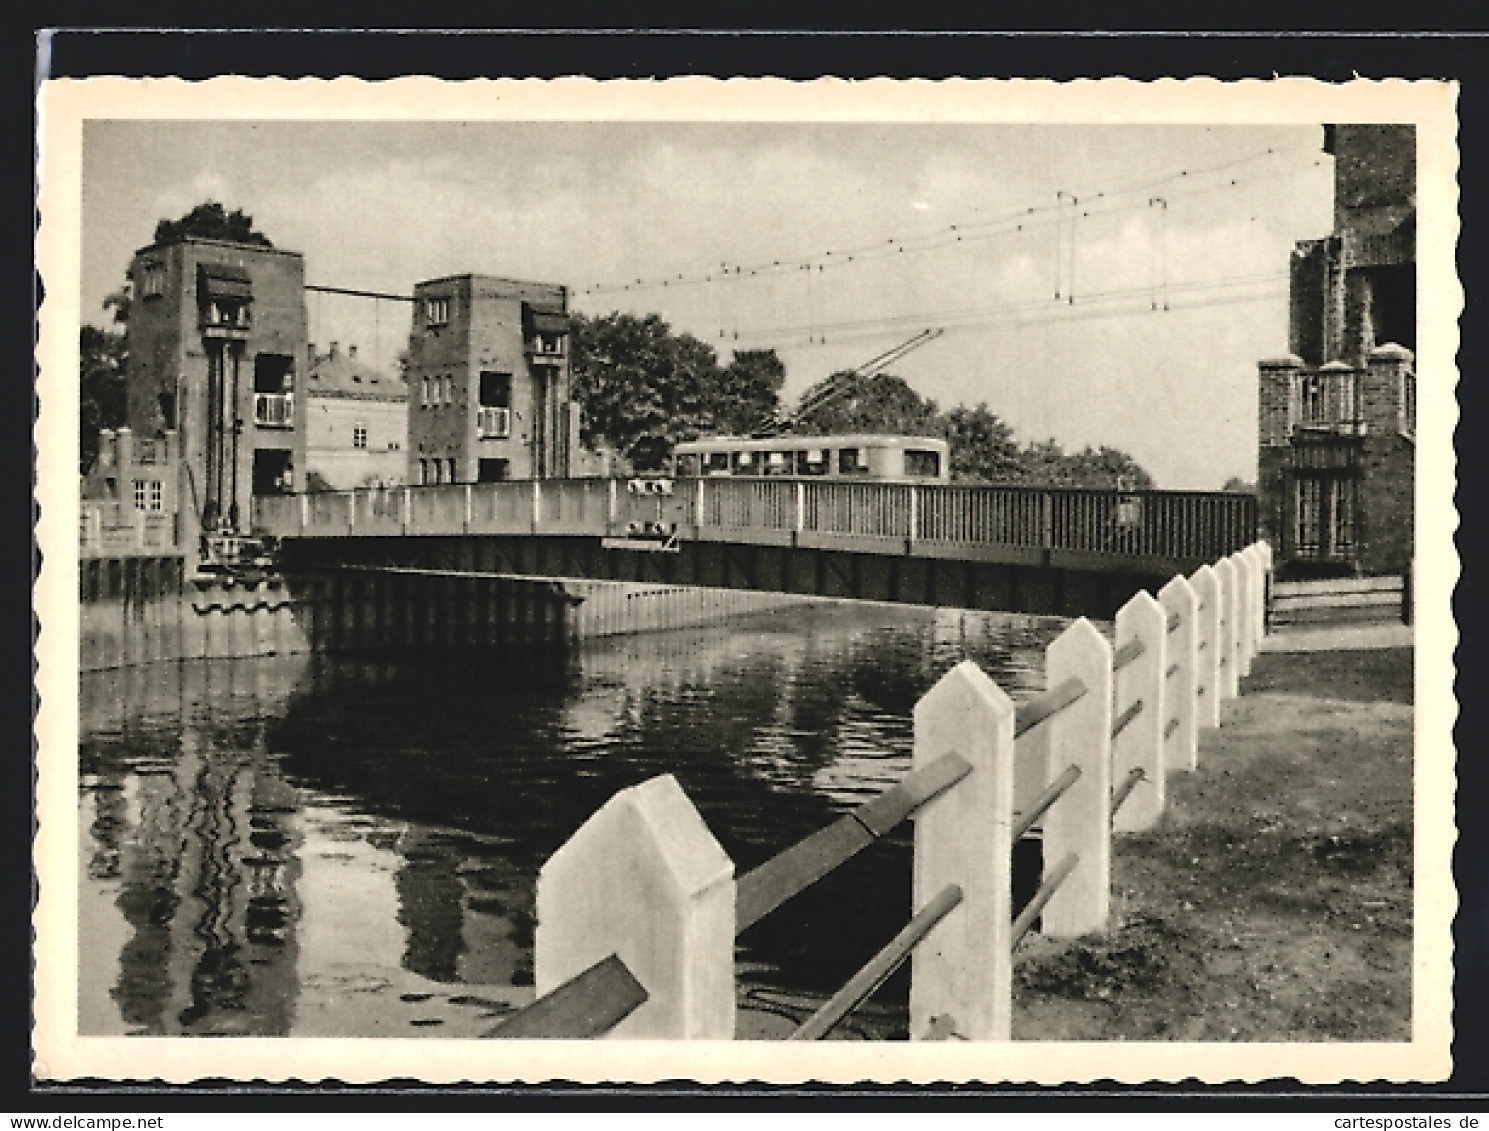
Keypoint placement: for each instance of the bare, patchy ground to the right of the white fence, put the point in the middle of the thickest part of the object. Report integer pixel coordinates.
(1274, 901)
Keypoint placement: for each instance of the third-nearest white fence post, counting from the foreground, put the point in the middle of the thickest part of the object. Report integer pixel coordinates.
(1080, 822)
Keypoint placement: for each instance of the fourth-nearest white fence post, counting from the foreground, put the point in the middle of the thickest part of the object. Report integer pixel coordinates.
(1140, 687)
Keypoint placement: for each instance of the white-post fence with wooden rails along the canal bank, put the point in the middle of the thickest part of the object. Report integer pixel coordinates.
(640, 911)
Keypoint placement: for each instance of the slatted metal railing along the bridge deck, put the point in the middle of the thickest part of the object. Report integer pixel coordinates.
(1165, 525)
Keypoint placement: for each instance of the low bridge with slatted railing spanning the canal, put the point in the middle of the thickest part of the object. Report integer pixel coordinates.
(1052, 551)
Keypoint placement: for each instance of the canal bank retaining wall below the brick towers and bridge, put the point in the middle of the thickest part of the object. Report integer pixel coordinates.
(147, 609)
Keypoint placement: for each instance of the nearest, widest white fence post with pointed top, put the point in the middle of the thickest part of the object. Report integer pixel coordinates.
(645, 880)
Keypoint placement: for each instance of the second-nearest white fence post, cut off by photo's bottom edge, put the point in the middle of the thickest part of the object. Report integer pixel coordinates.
(963, 973)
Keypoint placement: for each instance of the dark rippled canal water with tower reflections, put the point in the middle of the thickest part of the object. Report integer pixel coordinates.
(310, 846)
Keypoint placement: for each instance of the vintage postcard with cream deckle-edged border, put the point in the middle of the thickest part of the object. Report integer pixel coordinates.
(565, 580)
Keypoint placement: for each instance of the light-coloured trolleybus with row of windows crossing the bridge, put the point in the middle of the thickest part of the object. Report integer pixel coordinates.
(852, 459)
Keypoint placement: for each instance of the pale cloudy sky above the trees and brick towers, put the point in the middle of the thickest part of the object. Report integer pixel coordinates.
(1100, 285)
